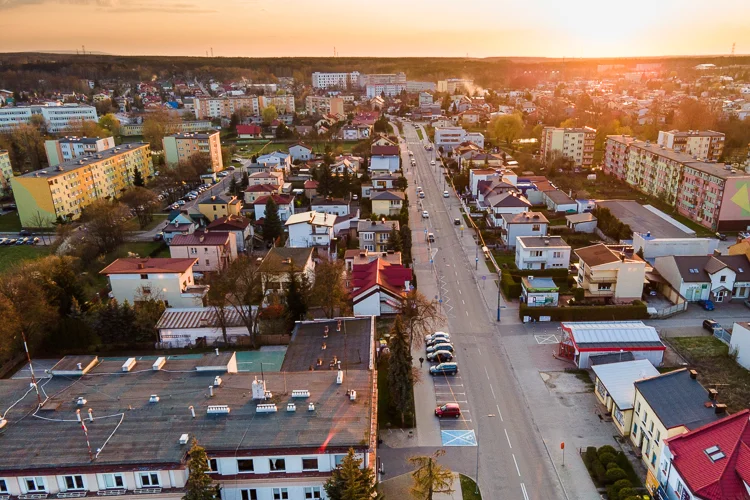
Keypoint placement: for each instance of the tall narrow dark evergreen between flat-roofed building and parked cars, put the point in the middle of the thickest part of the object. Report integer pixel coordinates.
(400, 376)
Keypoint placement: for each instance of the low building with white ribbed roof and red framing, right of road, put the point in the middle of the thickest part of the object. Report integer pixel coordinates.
(580, 340)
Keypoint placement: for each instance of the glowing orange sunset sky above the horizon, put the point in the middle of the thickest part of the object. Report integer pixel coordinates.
(385, 28)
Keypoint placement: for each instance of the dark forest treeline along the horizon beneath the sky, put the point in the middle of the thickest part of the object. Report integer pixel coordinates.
(25, 70)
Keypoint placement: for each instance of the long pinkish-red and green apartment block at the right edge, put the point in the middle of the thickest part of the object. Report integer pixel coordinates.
(715, 195)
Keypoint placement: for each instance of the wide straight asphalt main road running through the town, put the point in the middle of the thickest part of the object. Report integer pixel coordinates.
(513, 462)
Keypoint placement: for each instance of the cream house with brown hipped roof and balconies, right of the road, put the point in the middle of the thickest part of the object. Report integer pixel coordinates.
(611, 274)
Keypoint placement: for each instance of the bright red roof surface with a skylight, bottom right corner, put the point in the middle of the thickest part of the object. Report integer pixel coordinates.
(722, 478)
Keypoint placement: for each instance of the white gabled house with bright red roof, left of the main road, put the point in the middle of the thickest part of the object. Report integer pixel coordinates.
(379, 287)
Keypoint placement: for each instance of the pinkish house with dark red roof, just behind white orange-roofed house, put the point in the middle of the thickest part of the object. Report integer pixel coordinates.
(212, 250)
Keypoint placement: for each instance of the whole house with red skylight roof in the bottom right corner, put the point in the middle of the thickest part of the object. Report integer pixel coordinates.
(711, 462)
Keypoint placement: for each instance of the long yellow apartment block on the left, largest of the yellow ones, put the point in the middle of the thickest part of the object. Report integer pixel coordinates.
(64, 190)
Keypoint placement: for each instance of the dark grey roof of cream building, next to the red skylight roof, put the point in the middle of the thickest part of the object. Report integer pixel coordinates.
(677, 399)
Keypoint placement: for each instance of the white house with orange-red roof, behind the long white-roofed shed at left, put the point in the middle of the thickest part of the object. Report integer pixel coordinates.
(165, 279)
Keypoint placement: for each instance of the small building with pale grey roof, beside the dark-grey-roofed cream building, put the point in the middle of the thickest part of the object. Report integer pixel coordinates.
(614, 387)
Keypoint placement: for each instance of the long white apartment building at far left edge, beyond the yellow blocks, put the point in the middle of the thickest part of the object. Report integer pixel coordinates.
(57, 117)
